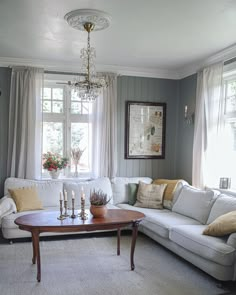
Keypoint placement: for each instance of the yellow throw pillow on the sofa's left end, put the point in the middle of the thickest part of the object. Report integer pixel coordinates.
(26, 199)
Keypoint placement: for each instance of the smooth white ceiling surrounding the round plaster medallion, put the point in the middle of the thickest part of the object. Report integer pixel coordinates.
(167, 38)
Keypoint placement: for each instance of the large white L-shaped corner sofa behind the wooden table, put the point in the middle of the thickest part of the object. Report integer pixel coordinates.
(178, 229)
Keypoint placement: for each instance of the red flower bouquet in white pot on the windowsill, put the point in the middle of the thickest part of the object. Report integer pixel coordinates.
(54, 163)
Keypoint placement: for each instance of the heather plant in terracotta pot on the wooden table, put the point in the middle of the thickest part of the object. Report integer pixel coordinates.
(98, 201)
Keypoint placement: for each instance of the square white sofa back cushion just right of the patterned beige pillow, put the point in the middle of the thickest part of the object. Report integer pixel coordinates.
(195, 203)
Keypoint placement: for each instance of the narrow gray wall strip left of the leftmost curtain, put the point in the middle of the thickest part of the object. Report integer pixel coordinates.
(5, 76)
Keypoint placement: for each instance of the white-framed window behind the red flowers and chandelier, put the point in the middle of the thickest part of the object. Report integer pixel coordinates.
(66, 125)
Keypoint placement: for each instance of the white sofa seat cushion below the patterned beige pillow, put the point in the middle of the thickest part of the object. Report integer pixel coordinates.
(160, 221)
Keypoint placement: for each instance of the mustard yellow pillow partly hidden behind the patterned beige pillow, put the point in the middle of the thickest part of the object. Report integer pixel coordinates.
(171, 185)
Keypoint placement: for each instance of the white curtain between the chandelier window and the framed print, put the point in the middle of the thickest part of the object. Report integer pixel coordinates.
(104, 130)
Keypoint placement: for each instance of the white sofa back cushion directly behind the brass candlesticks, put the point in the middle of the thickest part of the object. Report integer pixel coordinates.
(102, 183)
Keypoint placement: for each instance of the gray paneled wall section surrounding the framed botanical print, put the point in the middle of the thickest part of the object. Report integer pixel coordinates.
(152, 90)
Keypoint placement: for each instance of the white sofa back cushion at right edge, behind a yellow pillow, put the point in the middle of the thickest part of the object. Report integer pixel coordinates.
(222, 205)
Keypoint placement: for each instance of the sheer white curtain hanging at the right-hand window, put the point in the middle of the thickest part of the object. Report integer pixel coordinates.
(208, 127)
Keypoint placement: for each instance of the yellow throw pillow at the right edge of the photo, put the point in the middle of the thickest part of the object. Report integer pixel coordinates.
(223, 225)
